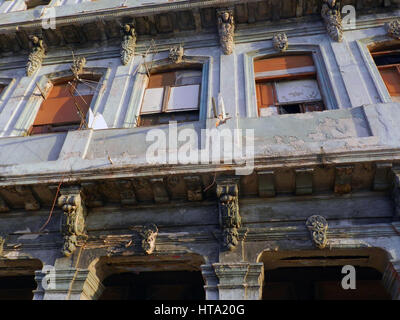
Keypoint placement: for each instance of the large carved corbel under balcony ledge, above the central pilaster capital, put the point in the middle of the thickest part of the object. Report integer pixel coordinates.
(229, 217)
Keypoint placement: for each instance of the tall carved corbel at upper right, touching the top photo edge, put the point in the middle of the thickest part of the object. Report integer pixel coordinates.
(332, 16)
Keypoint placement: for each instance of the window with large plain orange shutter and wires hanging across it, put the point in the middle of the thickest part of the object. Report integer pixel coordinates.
(65, 107)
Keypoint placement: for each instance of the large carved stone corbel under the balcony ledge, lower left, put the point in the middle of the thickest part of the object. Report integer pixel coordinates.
(73, 226)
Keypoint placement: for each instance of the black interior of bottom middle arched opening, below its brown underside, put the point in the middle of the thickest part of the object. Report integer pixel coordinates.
(166, 285)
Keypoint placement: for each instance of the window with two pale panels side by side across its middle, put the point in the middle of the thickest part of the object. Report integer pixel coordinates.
(171, 96)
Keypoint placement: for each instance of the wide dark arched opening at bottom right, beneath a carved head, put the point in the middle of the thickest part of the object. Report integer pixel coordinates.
(318, 275)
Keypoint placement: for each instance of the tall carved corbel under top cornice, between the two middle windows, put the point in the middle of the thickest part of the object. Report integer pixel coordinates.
(226, 30)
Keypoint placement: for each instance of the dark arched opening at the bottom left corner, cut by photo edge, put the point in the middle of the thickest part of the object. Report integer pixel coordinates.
(17, 279)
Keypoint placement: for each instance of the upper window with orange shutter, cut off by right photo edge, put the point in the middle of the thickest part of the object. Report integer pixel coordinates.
(388, 62)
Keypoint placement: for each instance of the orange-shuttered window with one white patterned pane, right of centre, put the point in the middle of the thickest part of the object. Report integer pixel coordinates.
(287, 84)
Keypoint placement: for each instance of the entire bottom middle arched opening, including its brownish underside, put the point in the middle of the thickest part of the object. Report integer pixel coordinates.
(152, 277)
